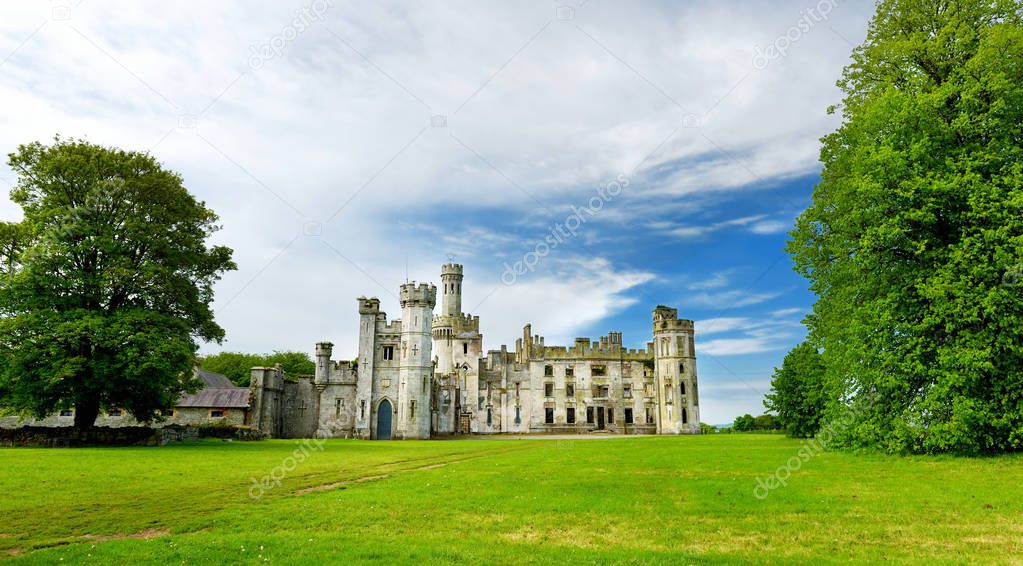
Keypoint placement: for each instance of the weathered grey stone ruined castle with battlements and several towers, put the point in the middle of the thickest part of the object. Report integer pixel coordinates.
(426, 375)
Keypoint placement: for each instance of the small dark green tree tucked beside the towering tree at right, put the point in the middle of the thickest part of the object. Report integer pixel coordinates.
(799, 394)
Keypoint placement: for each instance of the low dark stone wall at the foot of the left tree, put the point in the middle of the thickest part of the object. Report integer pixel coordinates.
(64, 438)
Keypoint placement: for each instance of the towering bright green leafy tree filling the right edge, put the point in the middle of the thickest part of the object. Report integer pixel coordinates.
(915, 235)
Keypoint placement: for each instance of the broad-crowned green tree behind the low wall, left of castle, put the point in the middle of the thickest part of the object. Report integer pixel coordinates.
(111, 284)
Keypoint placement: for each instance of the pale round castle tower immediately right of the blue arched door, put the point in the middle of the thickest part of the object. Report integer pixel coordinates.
(417, 361)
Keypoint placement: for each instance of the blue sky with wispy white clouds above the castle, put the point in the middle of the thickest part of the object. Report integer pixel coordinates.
(344, 144)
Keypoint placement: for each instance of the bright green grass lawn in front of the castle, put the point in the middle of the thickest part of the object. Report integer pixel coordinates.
(649, 500)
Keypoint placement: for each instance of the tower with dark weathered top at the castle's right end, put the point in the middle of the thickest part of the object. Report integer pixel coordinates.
(676, 367)
